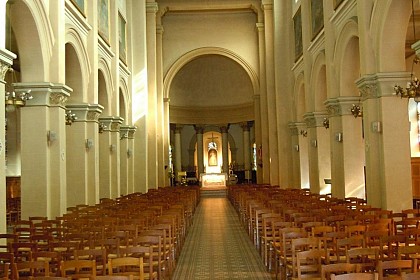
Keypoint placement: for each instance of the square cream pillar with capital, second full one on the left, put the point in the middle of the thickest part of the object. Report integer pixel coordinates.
(81, 147)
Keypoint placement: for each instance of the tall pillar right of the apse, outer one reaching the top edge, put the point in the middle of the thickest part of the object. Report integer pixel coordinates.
(267, 6)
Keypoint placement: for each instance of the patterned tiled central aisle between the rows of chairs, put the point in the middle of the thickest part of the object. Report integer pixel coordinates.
(217, 246)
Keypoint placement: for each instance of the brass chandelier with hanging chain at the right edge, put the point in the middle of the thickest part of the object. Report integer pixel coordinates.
(412, 89)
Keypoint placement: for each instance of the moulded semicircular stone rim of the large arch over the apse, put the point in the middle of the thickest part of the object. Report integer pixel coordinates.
(189, 56)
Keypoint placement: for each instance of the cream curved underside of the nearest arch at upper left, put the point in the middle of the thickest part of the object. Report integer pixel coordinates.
(34, 37)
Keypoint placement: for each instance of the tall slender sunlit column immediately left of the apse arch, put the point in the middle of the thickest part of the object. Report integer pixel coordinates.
(162, 178)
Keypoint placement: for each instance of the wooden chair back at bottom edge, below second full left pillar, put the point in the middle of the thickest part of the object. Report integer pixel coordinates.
(76, 269)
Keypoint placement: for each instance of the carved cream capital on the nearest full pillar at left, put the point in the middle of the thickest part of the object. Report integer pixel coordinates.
(45, 94)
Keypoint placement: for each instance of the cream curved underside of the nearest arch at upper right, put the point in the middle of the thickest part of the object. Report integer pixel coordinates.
(390, 19)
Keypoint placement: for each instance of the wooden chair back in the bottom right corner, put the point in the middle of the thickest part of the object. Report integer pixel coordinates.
(395, 268)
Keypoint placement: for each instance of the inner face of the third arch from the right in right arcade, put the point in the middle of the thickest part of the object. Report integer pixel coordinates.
(318, 83)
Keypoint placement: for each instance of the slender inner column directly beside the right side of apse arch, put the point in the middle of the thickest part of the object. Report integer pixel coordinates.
(263, 148)
